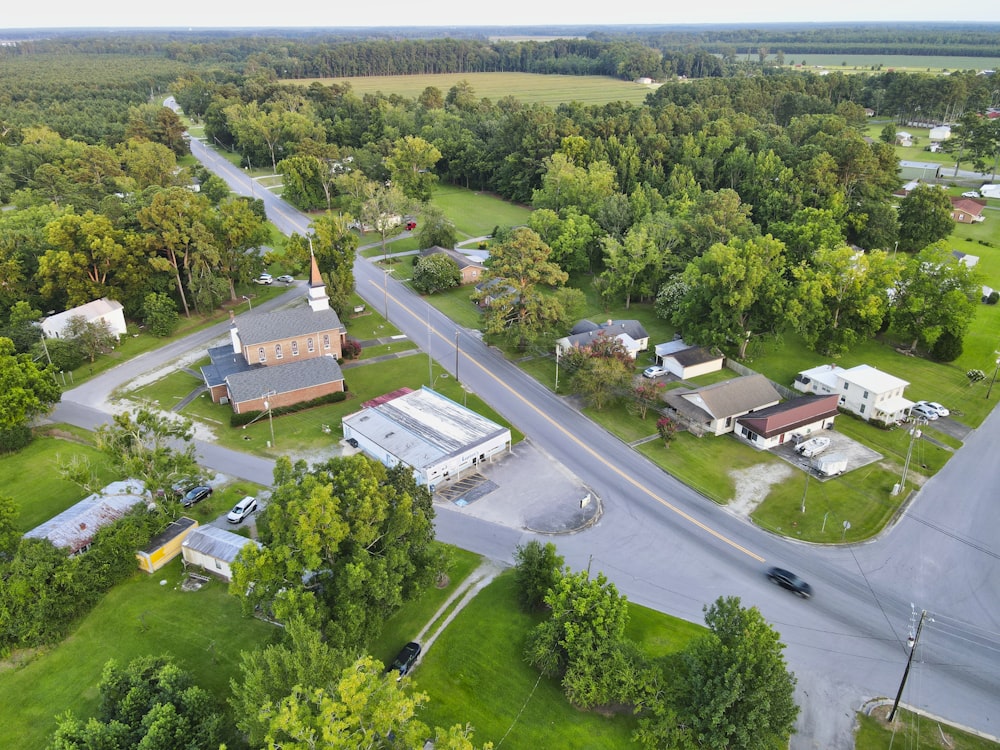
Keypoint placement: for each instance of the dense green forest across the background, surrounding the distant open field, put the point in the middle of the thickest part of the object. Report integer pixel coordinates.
(89, 153)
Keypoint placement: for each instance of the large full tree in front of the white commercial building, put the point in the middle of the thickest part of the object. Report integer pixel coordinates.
(346, 544)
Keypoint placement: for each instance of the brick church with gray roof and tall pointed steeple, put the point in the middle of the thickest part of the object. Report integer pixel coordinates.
(282, 357)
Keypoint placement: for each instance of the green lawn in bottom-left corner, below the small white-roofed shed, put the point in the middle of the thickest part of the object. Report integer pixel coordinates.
(204, 631)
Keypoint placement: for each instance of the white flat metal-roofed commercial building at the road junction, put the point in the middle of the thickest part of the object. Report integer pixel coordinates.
(436, 437)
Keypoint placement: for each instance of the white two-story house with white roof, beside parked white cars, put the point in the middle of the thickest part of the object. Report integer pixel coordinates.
(862, 390)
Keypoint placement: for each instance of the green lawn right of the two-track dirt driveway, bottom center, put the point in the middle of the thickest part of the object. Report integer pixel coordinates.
(475, 673)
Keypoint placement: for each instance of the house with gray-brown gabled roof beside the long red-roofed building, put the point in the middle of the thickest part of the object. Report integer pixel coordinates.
(714, 409)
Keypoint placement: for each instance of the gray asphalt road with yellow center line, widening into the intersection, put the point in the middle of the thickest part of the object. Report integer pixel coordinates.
(668, 548)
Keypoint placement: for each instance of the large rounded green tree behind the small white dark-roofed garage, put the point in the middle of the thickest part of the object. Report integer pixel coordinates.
(734, 291)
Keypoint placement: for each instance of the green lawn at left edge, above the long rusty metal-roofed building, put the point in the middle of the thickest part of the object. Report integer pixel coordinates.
(32, 478)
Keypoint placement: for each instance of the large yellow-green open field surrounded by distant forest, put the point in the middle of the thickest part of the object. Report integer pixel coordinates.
(531, 88)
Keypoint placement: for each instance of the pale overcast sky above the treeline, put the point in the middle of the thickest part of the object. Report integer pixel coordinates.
(248, 13)
